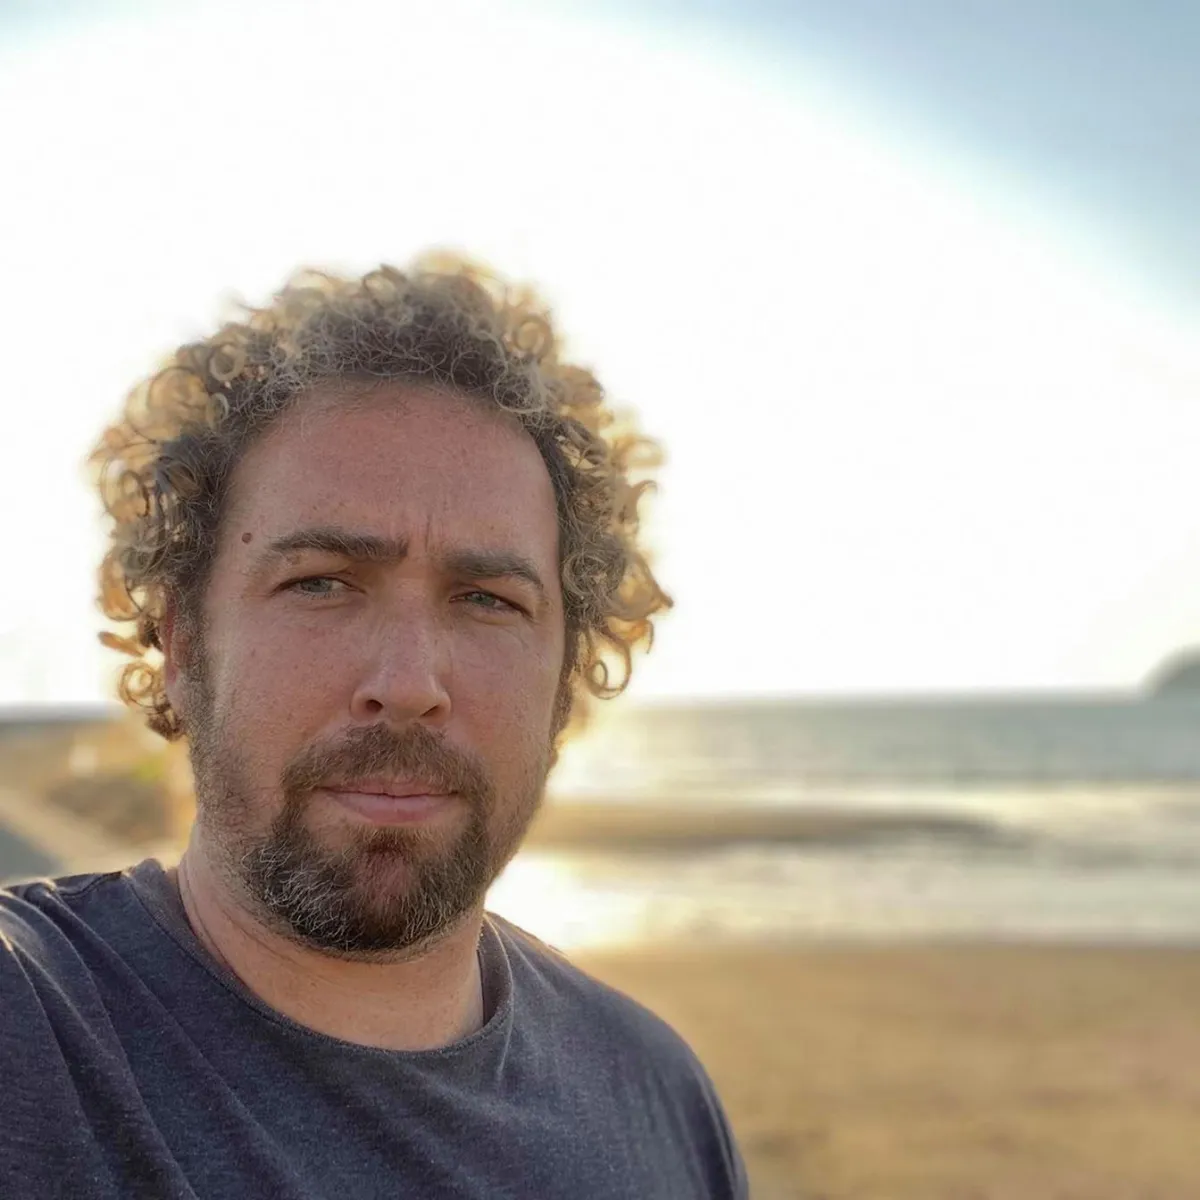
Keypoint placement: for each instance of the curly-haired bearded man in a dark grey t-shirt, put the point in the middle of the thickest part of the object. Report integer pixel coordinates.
(376, 543)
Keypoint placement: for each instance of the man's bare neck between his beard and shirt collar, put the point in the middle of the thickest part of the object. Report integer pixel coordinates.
(424, 1003)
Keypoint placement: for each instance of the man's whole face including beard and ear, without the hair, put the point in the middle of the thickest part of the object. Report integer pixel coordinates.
(385, 616)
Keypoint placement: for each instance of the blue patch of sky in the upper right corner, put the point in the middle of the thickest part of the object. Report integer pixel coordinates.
(1095, 101)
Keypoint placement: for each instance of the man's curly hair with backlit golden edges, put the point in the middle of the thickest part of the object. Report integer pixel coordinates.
(165, 469)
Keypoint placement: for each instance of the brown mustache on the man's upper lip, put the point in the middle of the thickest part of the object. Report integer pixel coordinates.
(380, 751)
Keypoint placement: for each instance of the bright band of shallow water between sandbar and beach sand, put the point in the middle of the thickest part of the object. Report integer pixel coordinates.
(886, 893)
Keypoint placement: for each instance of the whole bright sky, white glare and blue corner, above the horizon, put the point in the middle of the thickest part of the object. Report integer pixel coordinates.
(908, 292)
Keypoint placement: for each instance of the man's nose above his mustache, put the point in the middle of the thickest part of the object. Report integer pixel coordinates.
(404, 675)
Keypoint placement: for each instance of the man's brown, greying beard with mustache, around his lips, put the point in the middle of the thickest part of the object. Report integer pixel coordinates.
(386, 891)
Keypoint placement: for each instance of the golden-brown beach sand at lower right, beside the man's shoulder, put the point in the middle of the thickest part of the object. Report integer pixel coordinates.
(965, 1072)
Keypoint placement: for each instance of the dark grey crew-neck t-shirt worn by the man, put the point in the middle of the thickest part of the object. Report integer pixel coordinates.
(134, 1065)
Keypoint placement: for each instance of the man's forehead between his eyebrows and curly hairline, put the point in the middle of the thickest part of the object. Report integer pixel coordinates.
(400, 463)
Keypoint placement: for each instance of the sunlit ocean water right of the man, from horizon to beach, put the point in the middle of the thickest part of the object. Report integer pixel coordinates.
(1072, 819)
